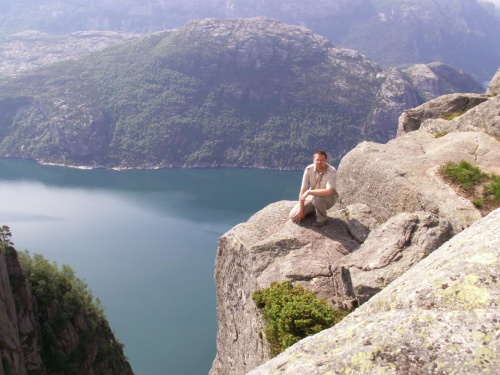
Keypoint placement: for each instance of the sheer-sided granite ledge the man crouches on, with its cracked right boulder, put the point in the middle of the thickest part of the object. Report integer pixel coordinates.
(269, 247)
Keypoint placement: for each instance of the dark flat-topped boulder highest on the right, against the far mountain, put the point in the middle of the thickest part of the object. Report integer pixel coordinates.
(411, 119)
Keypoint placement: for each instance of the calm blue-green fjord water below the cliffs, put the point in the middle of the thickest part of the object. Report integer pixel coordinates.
(144, 241)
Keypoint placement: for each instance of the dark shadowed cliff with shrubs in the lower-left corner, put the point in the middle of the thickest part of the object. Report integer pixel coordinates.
(44, 333)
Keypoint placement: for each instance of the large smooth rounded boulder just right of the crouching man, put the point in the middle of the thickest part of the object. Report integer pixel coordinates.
(402, 175)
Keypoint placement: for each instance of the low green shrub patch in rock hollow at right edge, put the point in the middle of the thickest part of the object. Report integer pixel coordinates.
(481, 188)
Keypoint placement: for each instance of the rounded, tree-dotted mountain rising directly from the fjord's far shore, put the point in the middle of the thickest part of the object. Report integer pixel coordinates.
(245, 92)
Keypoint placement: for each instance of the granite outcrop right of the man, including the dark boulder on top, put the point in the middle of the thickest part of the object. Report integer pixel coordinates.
(401, 176)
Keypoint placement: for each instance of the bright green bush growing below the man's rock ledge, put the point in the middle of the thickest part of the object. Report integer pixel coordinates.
(292, 313)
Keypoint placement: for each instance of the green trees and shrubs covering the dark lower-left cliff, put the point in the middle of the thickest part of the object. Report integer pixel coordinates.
(66, 304)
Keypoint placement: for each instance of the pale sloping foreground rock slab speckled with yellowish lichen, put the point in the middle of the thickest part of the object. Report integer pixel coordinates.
(440, 317)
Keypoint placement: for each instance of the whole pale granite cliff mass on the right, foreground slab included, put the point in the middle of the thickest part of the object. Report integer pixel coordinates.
(416, 256)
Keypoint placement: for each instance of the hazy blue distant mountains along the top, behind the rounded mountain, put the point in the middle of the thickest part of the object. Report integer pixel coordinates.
(393, 33)
